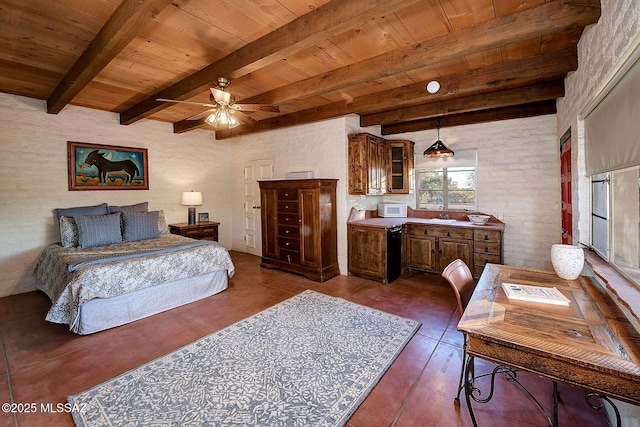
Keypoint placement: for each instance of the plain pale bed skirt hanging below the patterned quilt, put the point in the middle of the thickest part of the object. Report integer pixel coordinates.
(100, 314)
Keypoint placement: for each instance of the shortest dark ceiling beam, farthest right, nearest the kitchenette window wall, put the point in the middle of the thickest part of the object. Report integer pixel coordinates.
(503, 113)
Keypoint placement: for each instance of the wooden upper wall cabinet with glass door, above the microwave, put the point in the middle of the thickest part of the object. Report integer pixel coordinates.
(378, 166)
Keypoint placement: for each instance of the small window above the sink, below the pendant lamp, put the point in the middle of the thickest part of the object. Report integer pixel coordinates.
(449, 188)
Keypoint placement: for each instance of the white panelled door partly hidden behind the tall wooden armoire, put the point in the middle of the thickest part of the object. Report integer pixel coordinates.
(254, 170)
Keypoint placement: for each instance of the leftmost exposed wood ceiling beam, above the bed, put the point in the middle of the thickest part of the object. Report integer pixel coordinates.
(126, 22)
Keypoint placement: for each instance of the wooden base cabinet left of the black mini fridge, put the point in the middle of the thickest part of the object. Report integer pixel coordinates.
(367, 252)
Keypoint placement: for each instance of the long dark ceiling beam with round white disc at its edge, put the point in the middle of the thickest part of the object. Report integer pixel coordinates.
(505, 75)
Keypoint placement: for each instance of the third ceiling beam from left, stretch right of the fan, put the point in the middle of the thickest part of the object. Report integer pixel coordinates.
(549, 18)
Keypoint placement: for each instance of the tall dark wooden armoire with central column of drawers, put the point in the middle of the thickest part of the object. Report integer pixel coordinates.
(299, 227)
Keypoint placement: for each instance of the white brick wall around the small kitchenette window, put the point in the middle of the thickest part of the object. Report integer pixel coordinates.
(518, 178)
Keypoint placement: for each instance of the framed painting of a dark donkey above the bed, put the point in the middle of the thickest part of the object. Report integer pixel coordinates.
(107, 167)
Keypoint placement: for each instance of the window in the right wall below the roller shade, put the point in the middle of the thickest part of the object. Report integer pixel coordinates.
(615, 227)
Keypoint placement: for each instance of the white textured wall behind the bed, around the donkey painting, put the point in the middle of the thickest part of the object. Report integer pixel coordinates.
(33, 173)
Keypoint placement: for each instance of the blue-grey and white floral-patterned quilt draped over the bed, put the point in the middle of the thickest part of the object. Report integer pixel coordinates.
(68, 290)
